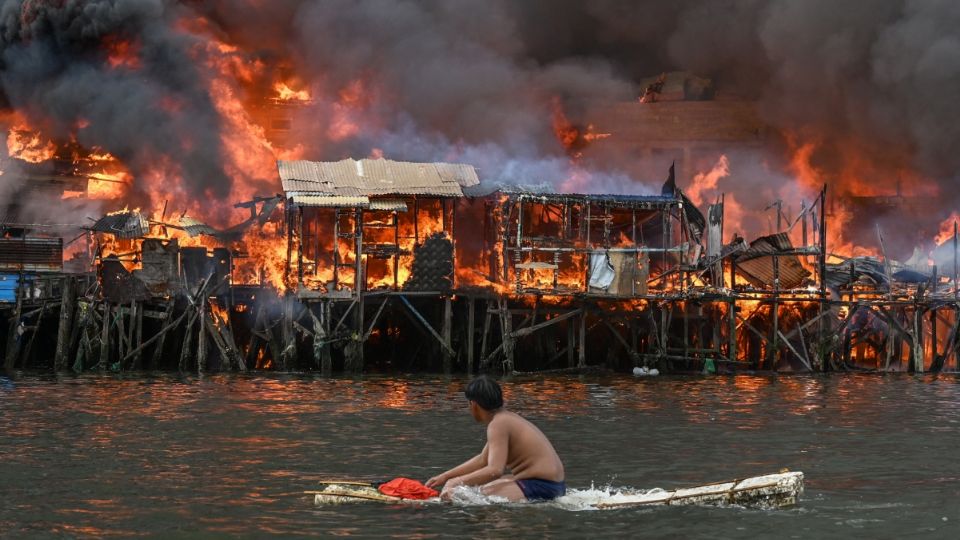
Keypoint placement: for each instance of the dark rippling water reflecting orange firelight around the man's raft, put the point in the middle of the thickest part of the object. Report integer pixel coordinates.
(230, 455)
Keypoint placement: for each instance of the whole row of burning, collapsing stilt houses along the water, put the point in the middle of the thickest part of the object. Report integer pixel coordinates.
(380, 264)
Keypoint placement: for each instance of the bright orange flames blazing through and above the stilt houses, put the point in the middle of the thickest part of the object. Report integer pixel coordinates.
(242, 85)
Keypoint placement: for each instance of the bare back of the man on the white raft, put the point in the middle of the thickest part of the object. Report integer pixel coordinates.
(529, 454)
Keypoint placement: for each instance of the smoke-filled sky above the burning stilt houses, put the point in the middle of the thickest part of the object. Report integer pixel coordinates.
(474, 75)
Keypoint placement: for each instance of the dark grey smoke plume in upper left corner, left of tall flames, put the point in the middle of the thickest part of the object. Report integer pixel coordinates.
(54, 67)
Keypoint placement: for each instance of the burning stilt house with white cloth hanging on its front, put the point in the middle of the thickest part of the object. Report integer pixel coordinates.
(539, 242)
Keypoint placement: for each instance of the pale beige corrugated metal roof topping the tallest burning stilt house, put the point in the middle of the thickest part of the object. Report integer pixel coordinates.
(352, 178)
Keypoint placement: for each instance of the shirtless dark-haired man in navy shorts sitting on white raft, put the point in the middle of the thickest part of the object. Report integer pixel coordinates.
(536, 472)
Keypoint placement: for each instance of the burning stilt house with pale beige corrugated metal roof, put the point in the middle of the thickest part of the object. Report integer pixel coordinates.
(358, 225)
